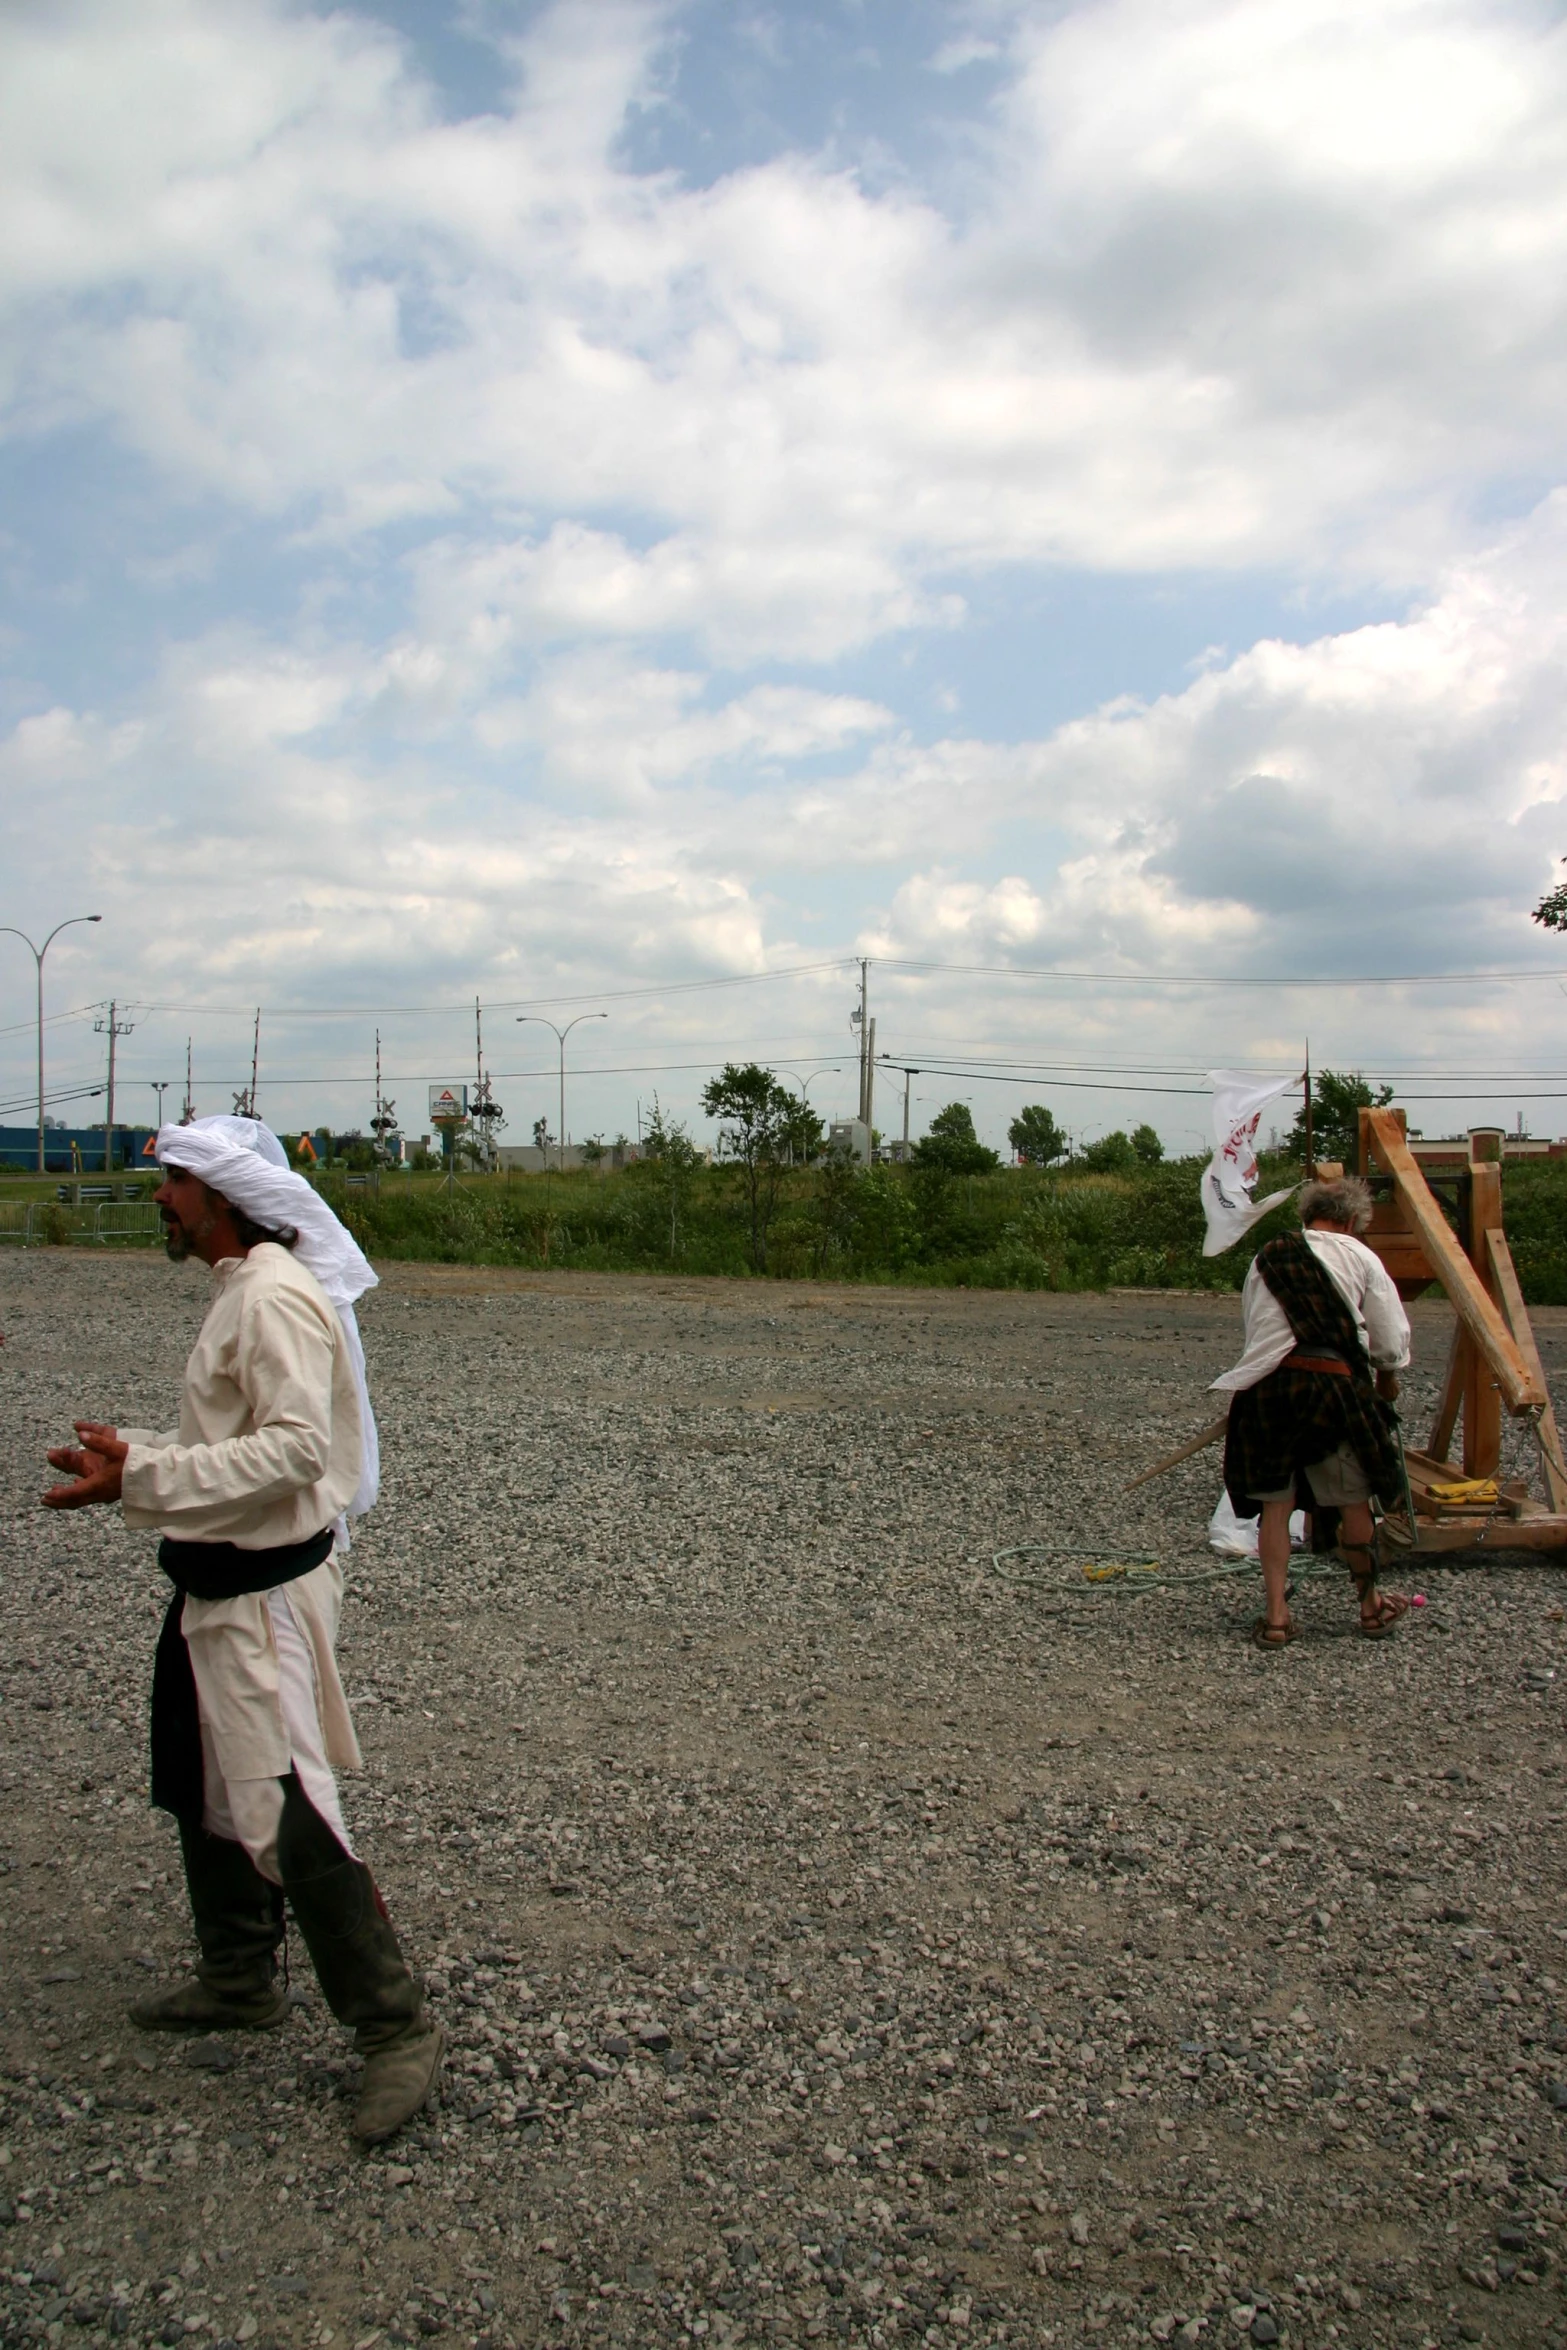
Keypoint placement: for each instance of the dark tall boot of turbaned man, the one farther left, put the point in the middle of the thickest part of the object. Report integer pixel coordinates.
(238, 1926)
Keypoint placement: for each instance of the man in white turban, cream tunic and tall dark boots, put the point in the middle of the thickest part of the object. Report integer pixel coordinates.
(253, 1493)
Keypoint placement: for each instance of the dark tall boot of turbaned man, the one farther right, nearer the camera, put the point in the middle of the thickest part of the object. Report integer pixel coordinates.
(361, 1968)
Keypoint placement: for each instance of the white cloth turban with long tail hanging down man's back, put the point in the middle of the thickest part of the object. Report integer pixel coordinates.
(248, 1164)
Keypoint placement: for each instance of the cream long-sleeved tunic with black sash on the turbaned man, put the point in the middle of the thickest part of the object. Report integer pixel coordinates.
(267, 1453)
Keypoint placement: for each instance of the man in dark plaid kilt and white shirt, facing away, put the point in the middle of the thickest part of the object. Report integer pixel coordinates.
(1310, 1418)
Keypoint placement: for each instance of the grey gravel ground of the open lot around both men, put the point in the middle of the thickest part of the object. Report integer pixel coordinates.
(833, 1940)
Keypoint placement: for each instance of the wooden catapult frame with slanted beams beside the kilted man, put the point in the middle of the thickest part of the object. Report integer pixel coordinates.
(1493, 1364)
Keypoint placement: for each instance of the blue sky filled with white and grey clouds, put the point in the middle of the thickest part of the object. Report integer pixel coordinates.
(567, 502)
